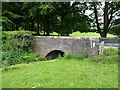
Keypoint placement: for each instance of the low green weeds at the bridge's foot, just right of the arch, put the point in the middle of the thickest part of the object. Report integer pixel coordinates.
(79, 56)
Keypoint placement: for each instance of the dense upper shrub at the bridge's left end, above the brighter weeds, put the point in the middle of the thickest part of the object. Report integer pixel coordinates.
(16, 39)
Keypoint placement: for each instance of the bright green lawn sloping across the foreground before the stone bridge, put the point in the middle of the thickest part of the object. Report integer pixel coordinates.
(61, 73)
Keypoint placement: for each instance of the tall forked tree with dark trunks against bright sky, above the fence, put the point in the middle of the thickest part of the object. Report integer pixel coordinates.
(110, 10)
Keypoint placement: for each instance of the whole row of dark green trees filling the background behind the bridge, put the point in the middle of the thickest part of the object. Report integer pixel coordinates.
(61, 17)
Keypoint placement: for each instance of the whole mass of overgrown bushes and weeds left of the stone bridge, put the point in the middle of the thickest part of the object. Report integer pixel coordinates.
(17, 48)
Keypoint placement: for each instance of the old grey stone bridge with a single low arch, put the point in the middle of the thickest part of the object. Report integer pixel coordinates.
(52, 46)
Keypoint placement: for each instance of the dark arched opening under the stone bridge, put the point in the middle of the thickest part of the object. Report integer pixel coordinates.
(54, 54)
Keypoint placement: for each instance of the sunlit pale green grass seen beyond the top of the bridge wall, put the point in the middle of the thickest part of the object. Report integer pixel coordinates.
(89, 34)
